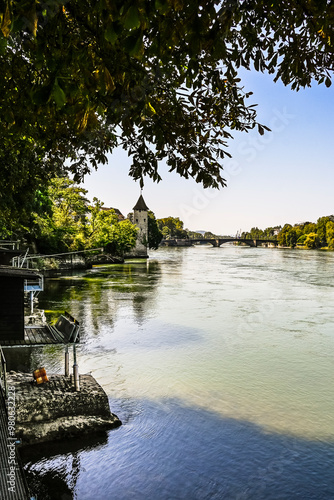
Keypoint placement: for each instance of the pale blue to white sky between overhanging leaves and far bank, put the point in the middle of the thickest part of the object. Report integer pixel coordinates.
(287, 175)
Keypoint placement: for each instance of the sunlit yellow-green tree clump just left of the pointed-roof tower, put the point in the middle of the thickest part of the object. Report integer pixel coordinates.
(73, 223)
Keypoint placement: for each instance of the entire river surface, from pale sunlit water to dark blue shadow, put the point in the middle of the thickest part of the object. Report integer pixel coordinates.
(220, 364)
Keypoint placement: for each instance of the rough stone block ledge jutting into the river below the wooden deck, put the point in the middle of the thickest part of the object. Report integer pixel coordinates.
(54, 410)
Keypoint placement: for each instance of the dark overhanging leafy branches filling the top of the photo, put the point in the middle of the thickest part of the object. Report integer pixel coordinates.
(157, 77)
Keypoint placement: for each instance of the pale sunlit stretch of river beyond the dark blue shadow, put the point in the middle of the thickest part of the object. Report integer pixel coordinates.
(247, 339)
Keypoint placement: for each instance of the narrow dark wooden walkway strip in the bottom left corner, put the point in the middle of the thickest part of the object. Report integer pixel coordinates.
(13, 485)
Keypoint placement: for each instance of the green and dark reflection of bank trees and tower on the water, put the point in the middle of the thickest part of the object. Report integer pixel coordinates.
(98, 295)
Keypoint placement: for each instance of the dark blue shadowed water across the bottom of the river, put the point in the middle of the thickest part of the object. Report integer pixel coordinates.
(173, 452)
